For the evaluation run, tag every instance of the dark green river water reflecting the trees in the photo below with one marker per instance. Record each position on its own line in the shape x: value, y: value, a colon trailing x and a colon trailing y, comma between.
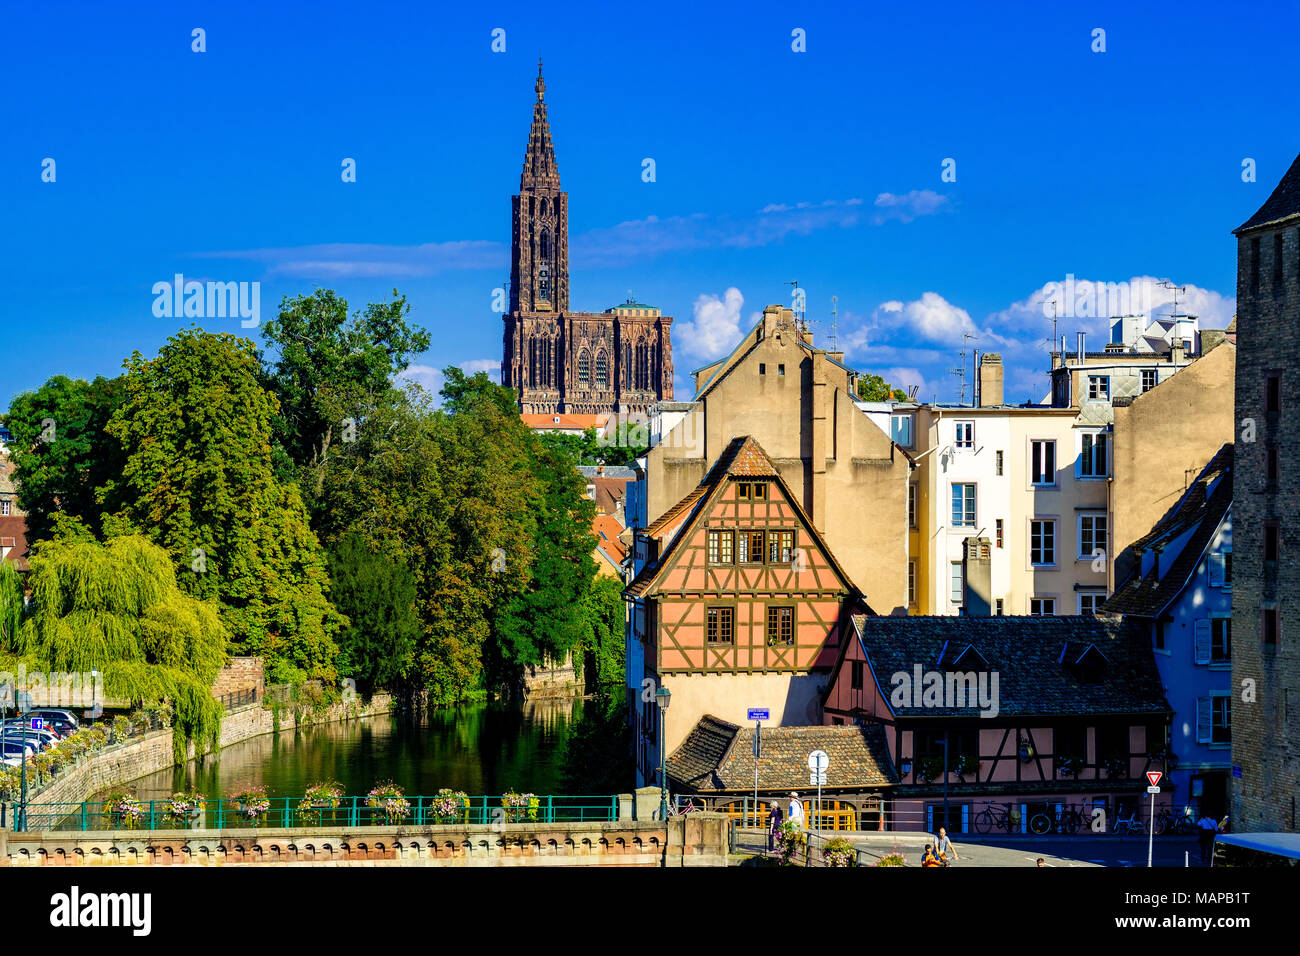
x: 482, y: 749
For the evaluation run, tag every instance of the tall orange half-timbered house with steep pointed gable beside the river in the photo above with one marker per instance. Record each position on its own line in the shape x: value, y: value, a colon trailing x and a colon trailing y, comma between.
x: 739, y: 604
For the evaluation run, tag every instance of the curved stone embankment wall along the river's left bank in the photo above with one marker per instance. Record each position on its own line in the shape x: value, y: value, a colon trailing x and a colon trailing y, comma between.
x: 153, y: 752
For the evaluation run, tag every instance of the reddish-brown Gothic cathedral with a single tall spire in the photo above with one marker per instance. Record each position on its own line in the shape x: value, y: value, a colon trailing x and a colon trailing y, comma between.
x: 557, y: 361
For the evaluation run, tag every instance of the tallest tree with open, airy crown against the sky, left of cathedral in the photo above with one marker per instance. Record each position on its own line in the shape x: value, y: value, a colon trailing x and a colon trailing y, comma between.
x: 328, y: 366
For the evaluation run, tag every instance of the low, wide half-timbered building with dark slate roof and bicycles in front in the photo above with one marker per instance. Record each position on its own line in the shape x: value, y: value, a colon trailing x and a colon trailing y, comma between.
x: 1042, y: 720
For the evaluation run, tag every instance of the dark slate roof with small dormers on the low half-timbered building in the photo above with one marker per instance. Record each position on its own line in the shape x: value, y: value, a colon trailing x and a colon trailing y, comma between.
x: 1029, y: 655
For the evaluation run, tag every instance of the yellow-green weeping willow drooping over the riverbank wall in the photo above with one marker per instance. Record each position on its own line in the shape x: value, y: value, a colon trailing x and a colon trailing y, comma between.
x: 116, y: 608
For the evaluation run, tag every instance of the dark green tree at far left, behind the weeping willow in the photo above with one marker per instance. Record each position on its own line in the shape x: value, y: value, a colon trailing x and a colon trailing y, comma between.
x: 62, y: 452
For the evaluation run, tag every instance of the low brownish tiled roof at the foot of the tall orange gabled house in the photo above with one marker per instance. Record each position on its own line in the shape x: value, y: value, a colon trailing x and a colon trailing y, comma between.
x: 720, y: 756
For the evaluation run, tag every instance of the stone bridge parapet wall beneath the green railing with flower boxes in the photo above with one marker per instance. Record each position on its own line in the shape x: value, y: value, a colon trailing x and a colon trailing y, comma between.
x: 697, y: 840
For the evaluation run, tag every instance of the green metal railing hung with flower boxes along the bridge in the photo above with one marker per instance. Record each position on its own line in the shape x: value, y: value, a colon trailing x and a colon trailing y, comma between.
x: 294, y: 812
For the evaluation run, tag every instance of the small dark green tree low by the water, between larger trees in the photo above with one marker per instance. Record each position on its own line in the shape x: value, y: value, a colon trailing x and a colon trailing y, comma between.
x: 378, y: 595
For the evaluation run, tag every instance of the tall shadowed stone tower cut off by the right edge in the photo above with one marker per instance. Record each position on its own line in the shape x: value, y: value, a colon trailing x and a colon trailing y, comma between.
x: 1267, y: 517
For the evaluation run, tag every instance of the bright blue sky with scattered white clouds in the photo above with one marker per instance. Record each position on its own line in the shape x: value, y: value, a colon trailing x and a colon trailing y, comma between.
x: 770, y: 166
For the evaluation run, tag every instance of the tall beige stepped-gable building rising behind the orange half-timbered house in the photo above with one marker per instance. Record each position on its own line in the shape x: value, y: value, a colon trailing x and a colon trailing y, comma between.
x: 799, y: 403
